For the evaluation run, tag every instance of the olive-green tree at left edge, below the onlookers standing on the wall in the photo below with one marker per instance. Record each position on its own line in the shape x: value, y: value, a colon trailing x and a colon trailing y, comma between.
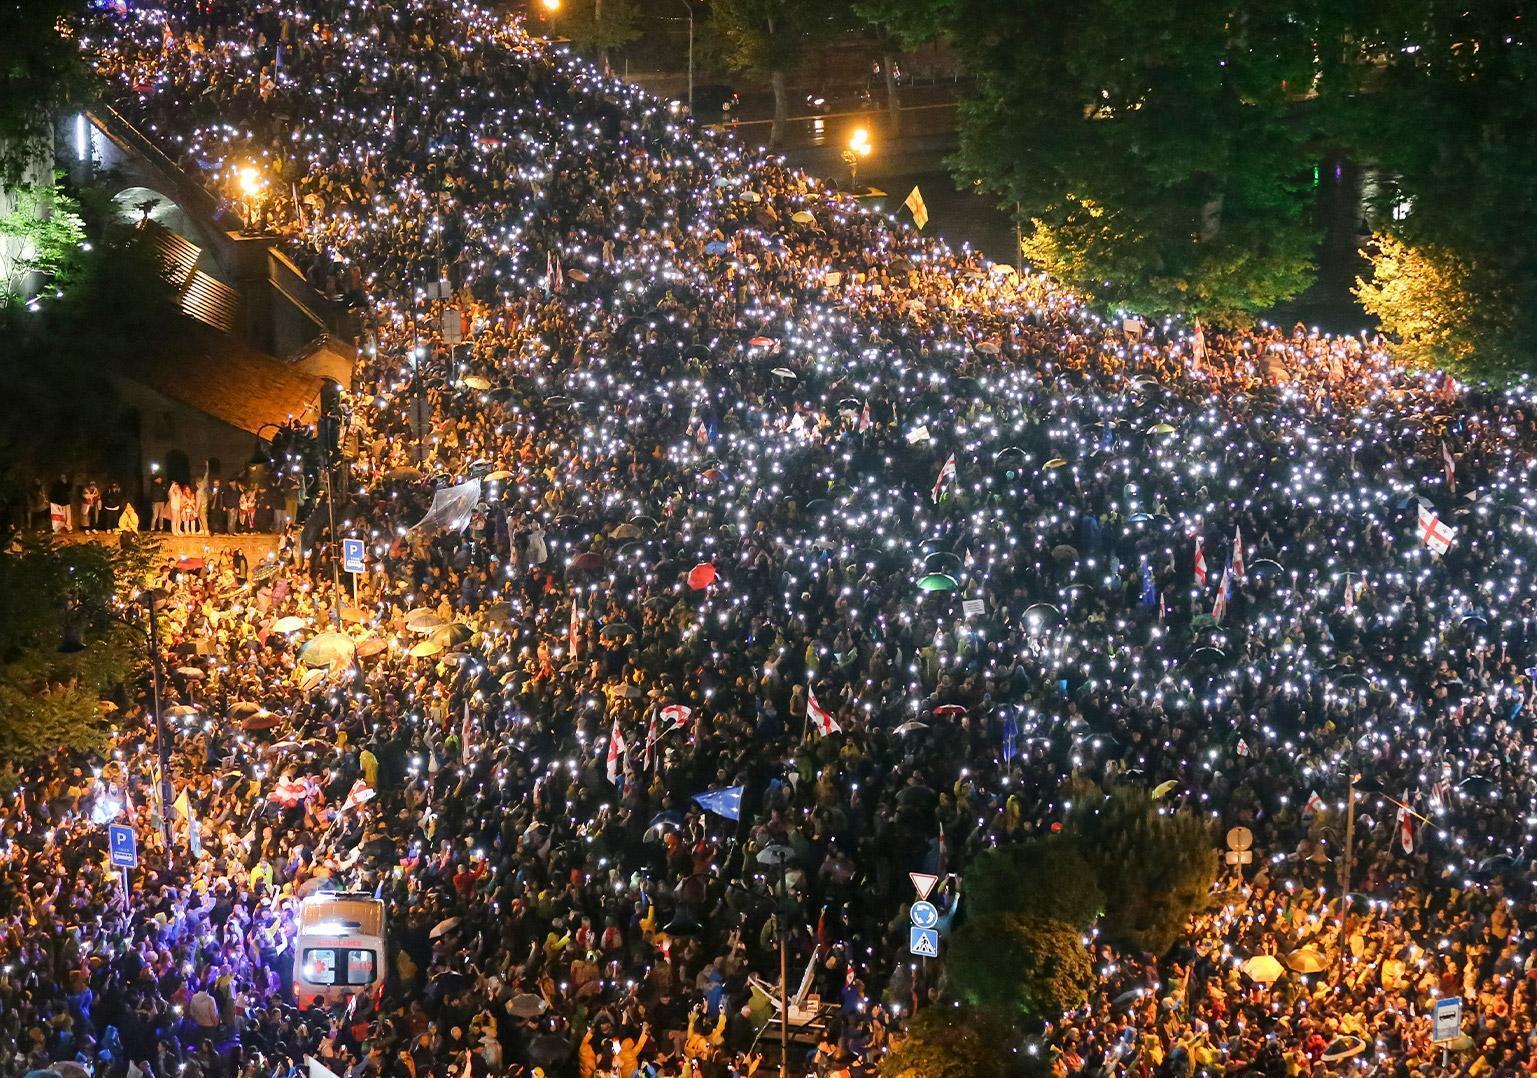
x: 53, y: 594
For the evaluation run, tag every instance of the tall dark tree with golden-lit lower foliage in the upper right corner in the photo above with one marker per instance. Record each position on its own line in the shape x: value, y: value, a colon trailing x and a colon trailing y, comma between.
x: 1449, y: 119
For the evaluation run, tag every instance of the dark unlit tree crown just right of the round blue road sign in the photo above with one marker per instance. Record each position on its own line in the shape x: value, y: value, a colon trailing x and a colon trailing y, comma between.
x: 1047, y: 877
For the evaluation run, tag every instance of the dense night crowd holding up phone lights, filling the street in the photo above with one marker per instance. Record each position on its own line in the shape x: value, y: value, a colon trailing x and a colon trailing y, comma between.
x: 726, y: 482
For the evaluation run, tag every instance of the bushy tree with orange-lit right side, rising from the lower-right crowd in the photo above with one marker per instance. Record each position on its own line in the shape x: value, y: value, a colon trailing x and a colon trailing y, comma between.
x: 1155, y: 867
